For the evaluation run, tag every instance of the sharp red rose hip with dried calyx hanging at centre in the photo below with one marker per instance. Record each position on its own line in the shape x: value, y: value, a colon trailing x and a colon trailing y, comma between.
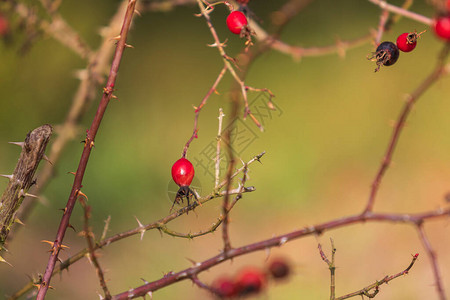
x: 183, y: 173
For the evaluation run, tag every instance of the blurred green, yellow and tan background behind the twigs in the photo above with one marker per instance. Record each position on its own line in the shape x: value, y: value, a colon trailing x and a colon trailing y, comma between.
x: 323, y: 148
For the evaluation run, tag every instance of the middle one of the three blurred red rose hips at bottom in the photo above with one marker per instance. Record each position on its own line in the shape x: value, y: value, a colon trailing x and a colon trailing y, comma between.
x: 250, y: 281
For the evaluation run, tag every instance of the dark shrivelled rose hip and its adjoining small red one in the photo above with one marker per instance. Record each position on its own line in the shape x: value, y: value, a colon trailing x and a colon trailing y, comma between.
x: 387, y: 53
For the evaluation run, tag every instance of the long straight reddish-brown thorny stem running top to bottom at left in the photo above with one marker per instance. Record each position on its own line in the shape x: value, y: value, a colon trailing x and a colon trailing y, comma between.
x: 88, y: 145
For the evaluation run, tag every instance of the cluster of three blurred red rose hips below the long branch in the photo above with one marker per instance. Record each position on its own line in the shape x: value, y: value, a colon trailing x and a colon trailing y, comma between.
x: 250, y: 280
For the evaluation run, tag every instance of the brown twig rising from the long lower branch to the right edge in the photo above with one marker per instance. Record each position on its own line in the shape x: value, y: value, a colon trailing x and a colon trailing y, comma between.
x: 438, y: 71
